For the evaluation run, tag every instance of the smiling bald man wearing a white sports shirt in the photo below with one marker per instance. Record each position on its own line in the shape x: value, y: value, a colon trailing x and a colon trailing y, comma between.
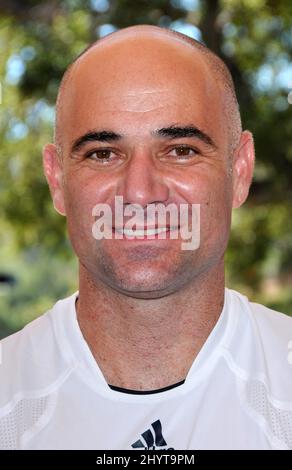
x: 152, y: 352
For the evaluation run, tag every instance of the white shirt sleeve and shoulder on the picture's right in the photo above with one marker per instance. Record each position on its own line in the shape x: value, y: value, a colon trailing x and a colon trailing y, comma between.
x: 257, y: 352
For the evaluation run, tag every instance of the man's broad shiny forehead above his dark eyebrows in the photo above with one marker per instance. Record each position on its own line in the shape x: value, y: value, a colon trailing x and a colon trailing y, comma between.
x: 142, y: 81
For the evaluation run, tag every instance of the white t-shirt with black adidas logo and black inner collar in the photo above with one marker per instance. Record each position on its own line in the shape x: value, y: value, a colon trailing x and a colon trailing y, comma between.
x: 237, y: 394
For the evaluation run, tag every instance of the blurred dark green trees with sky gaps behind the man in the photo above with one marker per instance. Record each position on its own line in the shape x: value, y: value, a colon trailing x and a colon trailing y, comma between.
x: 39, y: 39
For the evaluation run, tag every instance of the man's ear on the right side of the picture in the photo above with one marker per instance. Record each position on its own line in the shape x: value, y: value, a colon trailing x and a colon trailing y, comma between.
x: 243, y: 165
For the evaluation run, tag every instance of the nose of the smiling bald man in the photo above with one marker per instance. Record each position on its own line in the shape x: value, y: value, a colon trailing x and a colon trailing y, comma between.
x: 143, y: 183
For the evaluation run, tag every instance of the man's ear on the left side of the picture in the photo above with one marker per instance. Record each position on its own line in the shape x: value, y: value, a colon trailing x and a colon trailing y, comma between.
x: 53, y: 170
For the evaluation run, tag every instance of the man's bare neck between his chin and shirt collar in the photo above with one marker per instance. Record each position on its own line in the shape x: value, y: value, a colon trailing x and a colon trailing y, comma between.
x: 148, y: 344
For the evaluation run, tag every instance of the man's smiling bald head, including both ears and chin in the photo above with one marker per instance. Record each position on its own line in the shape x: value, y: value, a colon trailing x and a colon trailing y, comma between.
x: 133, y: 88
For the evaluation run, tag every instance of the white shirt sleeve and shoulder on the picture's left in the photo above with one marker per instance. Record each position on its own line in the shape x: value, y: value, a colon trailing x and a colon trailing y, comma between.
x: 32, y: 368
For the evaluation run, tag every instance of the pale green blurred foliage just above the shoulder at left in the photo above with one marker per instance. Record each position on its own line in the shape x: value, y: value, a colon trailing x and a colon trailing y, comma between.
x: 41, y: 279
